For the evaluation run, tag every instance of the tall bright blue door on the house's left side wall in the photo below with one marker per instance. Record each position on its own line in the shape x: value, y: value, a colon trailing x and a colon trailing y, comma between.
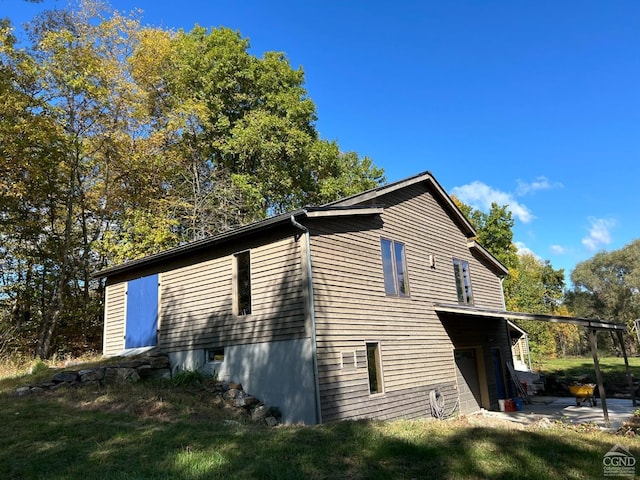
x: 142, y: 312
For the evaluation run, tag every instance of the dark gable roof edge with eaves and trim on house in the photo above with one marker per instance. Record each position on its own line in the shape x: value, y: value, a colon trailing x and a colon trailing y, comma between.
x: 360, y: 204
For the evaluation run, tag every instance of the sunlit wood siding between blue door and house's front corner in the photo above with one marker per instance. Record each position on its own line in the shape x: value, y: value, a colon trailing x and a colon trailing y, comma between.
x: 196, y: 309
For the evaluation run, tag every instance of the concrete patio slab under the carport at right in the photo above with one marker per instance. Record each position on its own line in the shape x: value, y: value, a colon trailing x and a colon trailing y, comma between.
x: 565, y: 409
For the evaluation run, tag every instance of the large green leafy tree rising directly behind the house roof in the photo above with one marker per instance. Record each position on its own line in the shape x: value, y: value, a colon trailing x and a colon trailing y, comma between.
x: 239, y: 131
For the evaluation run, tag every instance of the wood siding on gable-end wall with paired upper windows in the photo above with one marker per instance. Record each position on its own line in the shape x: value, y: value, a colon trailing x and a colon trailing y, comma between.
x: 352, y: 307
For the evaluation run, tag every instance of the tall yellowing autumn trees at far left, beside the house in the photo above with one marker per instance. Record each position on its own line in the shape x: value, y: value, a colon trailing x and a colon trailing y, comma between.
x: 76, y: 97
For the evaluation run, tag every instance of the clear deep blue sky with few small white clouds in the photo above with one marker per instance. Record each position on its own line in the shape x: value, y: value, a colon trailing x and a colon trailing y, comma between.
x: 531, y: 104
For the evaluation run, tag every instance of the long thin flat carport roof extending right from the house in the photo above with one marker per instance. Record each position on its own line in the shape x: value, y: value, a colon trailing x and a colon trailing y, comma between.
x: 590, y: 323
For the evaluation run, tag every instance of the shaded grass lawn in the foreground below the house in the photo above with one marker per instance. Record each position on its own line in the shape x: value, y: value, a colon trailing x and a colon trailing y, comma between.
x: 168, y: 431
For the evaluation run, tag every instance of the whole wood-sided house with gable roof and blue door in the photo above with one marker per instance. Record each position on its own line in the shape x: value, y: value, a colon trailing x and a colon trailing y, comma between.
x: 351, y: 309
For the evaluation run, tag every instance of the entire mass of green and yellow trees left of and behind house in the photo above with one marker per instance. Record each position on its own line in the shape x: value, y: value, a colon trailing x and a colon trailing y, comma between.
x: 117, y: 141
